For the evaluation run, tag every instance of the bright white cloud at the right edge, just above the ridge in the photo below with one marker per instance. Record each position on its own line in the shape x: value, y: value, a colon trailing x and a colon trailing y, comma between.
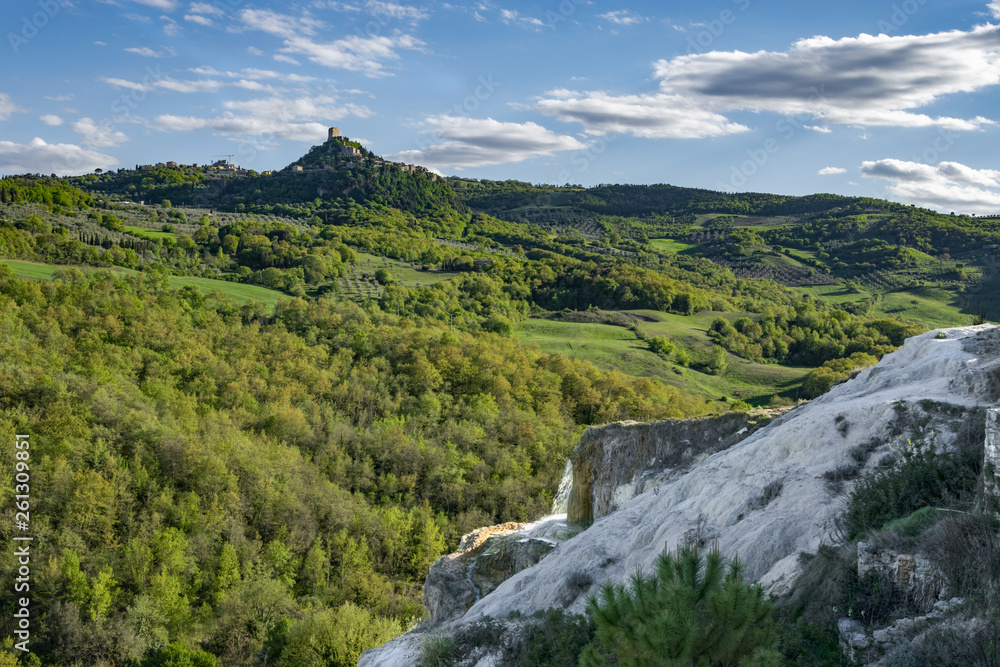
x: 949, y: 186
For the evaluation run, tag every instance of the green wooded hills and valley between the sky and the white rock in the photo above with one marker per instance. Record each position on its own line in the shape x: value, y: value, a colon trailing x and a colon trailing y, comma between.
x: 217, y: 481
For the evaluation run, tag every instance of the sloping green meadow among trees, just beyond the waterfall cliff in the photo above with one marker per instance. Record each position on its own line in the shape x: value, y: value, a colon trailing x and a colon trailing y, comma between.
x: 614, y: 347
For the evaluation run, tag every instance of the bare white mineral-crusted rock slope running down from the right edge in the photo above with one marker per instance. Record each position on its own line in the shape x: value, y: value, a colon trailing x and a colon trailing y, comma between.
x: 766, y: 498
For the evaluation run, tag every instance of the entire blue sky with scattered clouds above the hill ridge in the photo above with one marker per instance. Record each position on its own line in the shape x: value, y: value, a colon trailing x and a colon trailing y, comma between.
x: 895, y: 99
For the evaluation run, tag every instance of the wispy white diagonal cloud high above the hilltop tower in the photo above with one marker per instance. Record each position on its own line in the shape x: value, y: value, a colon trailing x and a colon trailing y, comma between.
x: 366, y: 55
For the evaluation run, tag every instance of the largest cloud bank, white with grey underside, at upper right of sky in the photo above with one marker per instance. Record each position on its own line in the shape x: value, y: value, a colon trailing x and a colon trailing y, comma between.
x: 862, y: 81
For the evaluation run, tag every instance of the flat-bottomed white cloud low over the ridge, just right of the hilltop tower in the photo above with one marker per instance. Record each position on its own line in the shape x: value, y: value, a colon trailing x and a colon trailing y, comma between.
x: 471, y: 142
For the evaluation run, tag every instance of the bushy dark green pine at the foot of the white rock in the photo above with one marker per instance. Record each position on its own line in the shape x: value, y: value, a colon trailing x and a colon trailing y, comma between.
x: 691, y: 611
